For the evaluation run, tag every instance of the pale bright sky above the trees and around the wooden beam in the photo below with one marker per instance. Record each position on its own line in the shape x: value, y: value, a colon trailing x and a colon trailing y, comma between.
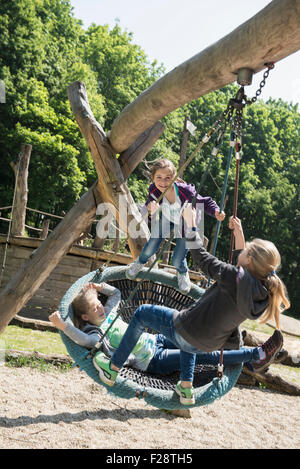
x: 172, y: 31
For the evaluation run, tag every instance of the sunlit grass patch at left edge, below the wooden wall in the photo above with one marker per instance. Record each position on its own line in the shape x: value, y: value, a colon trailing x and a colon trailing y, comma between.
x: 19, y: 338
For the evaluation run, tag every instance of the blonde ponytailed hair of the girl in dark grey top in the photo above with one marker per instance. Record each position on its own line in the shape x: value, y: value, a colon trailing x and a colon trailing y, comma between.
x: 265, y: 261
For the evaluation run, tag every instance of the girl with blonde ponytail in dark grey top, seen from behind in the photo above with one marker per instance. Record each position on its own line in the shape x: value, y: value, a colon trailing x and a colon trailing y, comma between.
x: 252, y: 289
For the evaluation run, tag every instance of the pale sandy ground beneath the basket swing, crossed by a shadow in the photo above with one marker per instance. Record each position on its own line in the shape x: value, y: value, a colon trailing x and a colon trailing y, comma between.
x: 68, y: 410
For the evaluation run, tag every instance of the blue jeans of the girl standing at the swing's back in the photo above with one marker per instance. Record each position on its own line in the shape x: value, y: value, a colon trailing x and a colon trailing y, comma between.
x: 160, y: 231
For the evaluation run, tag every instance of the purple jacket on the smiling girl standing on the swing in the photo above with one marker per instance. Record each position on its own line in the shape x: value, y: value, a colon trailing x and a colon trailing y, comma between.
x: 186, y: 192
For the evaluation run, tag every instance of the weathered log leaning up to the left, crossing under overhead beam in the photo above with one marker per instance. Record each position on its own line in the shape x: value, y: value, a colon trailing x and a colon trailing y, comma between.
x: 111, y: 182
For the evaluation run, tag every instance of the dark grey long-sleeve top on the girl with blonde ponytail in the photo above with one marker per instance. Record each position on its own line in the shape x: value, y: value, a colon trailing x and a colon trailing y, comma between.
x: 213, y: 321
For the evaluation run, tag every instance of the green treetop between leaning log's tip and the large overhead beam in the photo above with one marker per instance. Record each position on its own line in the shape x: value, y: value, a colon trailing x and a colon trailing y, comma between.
x: 122, y: 67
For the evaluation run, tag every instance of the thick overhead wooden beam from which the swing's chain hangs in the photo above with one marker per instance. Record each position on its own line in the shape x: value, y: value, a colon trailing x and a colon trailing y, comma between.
x: 269, y: 36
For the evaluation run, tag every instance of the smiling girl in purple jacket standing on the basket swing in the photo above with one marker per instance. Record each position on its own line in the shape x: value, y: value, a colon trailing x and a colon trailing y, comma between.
x: 169, y: 218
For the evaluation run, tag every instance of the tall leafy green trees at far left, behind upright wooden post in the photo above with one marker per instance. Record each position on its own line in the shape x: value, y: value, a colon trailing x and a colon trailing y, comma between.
x: 41, y: 48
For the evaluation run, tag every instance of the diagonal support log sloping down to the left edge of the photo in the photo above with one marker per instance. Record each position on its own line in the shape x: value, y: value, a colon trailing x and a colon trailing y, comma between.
x: 34, y: 272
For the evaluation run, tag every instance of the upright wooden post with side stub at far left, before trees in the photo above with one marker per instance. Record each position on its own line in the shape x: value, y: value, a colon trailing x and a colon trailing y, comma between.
x: 20, y: 169
